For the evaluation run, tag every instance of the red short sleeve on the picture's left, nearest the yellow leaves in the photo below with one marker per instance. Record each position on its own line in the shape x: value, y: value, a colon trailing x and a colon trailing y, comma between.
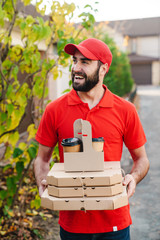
x: 46, y: 134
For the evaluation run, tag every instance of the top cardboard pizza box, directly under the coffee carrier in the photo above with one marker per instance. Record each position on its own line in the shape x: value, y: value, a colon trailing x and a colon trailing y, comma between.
x: 64, y: 179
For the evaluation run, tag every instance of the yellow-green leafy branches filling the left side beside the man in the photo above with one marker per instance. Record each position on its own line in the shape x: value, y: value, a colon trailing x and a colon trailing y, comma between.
x: 24, y: 72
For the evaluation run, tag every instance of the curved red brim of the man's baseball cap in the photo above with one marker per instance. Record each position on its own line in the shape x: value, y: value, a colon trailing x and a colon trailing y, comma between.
x: 71, y: 49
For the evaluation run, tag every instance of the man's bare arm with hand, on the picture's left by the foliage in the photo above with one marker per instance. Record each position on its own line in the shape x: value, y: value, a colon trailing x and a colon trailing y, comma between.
x: 41, y: 166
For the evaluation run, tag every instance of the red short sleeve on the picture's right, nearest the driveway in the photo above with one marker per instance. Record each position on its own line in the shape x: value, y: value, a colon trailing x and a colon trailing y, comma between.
x: 134, y: 136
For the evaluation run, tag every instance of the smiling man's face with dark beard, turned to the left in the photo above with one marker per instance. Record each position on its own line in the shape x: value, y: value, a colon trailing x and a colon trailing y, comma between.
x: 85, y: 73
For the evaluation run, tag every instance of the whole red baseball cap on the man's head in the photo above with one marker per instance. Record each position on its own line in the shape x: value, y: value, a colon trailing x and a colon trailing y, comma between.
x: 93, y: 49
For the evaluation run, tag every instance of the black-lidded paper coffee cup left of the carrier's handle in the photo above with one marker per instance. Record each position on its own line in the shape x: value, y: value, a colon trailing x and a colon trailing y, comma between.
x: 71, y: 144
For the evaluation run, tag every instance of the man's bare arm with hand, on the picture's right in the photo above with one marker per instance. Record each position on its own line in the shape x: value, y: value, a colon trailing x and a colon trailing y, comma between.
x: 139, y: 169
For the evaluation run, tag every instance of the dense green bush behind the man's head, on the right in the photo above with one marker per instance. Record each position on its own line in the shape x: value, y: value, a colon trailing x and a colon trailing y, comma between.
x: 118, y: 79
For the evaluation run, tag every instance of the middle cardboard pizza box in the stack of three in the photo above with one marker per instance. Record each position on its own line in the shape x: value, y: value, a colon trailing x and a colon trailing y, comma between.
x: 85, y: 191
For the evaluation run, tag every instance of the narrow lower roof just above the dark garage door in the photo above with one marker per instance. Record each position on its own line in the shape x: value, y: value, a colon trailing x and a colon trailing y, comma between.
x: 135, y: 58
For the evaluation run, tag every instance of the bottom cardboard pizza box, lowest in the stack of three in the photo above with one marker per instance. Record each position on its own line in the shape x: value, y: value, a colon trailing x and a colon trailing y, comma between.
x: 92, y: 203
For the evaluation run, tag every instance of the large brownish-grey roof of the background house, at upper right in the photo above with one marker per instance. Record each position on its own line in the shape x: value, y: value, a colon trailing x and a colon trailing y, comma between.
x: 137, y: 27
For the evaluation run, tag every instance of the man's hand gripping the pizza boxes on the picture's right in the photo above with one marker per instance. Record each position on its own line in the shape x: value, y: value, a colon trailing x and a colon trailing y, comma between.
x: 130, y: 183
